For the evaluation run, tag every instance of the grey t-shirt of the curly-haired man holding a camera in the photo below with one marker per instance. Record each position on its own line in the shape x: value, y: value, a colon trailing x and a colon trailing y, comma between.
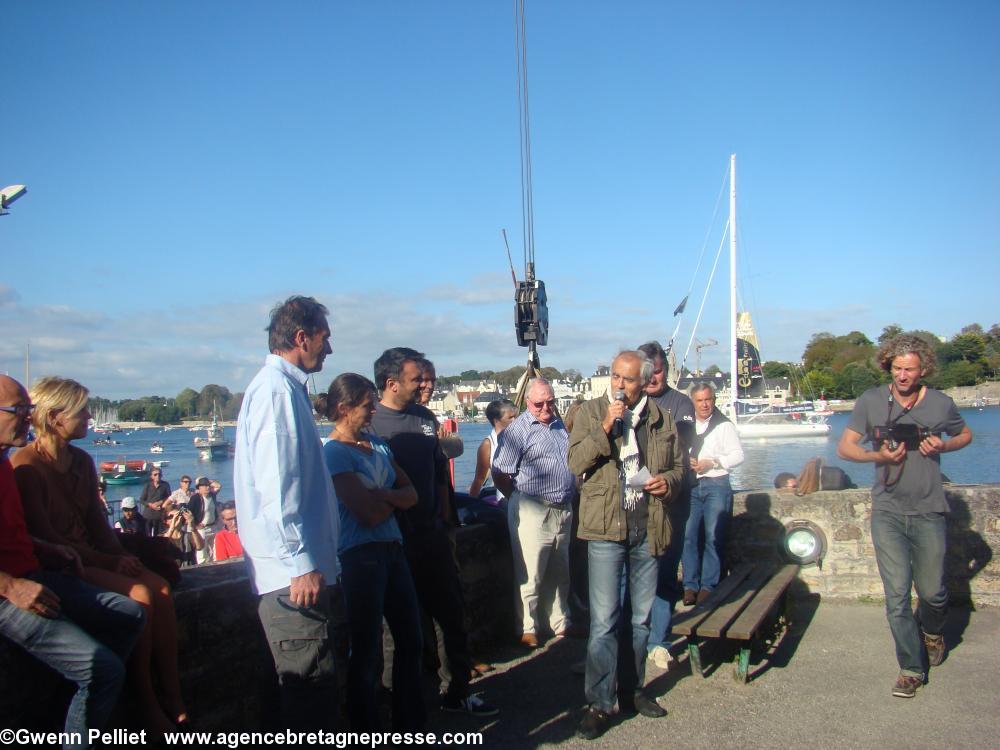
x: 919, y: 487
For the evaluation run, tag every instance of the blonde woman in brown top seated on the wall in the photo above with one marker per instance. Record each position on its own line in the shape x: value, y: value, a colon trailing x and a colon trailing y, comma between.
x: 58, y: 485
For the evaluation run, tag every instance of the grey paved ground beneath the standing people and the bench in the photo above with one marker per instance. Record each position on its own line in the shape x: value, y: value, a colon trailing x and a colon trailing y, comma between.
x: 826, y: 684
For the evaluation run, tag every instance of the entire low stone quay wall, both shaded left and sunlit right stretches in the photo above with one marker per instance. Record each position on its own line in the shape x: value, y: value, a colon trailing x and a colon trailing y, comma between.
x: 221, y: 646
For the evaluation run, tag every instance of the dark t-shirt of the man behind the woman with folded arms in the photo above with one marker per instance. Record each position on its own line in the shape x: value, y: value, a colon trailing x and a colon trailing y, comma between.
x: 412, y: 436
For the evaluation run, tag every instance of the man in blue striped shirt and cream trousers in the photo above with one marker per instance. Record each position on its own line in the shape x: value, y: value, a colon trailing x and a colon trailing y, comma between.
x: 530, y: 468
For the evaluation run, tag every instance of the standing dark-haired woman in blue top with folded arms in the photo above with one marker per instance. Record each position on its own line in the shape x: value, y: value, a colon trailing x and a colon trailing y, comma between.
x: 376, y: 578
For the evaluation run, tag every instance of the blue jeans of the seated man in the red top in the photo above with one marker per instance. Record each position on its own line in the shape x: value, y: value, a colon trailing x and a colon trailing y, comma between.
x: 87, y: 644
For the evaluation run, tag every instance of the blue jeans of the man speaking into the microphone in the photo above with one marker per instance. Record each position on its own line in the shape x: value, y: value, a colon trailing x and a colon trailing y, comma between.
x: 608, y: 564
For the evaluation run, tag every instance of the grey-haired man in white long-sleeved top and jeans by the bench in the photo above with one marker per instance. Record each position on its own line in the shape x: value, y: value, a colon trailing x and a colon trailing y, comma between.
x: 715, y: 449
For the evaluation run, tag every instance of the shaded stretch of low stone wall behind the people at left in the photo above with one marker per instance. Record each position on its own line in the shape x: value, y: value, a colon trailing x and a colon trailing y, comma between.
x: 221, y: 646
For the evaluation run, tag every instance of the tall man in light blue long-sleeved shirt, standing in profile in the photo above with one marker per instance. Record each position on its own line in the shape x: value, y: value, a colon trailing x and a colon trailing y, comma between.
x: 288, y: 513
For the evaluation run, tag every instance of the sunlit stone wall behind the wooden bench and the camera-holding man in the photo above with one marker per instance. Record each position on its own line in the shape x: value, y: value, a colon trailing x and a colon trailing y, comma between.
x: 849, y: 570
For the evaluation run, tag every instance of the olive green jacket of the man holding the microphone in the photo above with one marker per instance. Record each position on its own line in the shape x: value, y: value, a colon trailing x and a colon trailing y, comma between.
x: 594, y: 455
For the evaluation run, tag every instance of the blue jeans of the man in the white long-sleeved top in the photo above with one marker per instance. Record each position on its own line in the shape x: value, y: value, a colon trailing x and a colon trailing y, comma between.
x: 711, y: 506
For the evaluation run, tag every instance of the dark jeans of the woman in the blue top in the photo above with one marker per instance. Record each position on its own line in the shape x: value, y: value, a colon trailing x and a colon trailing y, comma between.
x: 377, y: 583
